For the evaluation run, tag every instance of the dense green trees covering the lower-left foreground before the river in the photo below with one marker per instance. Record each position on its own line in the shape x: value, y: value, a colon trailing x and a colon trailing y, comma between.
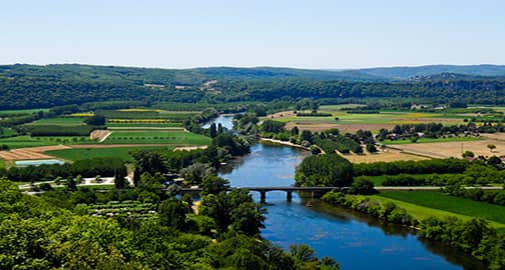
x: 54, y: 230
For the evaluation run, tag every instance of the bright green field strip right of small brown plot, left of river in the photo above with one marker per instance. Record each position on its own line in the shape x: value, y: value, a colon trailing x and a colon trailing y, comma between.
x: 157, y: 137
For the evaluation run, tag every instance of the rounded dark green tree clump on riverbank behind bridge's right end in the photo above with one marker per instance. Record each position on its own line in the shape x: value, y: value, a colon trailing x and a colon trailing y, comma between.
x: 324, y: 170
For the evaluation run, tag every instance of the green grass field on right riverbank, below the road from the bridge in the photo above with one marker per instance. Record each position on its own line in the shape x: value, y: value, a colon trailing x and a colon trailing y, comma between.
x: 437, y: 201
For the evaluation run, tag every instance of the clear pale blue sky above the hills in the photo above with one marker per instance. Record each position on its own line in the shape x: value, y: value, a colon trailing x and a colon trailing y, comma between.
x: 288, y: 33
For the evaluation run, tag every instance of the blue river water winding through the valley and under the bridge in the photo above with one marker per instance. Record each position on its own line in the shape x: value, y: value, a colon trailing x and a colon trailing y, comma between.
x: 354, y: 240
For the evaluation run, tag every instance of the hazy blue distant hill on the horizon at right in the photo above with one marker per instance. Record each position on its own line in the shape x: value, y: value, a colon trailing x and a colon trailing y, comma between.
x: 403, y: 73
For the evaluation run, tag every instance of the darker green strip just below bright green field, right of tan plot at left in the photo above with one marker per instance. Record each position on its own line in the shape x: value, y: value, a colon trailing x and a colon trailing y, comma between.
x: 85, y: 153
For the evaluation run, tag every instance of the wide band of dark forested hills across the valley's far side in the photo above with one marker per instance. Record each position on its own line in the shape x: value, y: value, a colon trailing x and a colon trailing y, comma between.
x: 27, y: 86
